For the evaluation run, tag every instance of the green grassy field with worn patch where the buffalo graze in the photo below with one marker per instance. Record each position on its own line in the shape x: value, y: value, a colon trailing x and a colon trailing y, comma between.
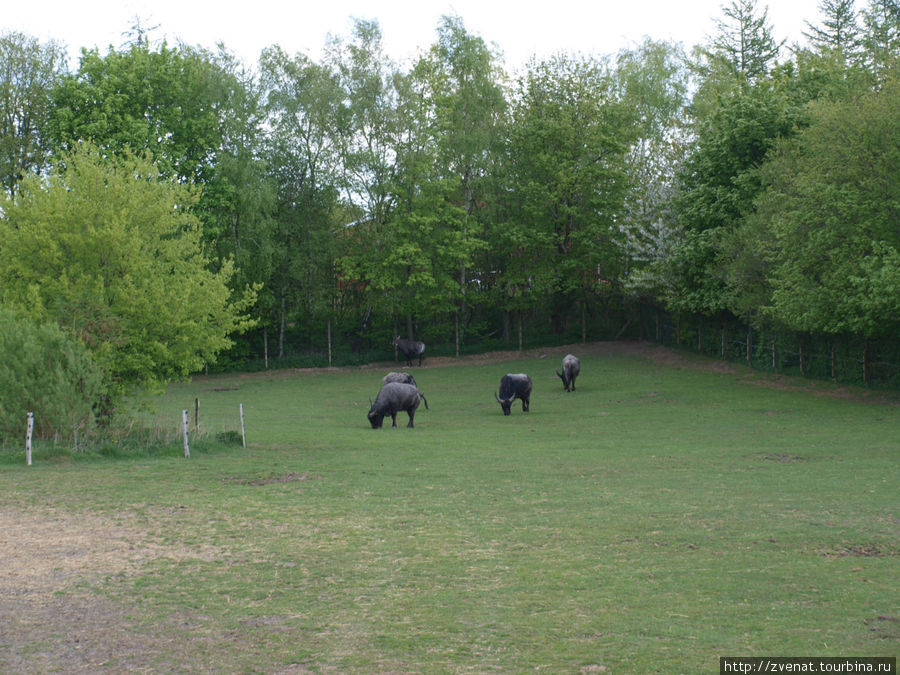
x: 663, y: 515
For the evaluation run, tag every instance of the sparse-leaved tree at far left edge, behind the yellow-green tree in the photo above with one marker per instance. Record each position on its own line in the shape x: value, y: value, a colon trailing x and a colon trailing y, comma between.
x: 29, y: 72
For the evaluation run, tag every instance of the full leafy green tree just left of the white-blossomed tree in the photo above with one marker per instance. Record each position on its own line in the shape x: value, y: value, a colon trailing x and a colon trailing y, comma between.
x: 568, y: 180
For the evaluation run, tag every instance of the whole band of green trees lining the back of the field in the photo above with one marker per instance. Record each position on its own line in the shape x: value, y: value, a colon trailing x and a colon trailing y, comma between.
x: 170, y: 206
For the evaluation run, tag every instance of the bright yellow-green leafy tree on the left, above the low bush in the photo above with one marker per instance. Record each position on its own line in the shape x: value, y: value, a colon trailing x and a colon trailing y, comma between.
x: 107, y: 248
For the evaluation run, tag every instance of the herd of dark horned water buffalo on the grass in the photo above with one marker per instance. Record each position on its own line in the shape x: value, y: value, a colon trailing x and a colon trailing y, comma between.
x: 399, y: 391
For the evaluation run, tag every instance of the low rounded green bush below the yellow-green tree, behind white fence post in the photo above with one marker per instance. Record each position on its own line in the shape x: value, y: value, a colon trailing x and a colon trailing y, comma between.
x: 45, y: 371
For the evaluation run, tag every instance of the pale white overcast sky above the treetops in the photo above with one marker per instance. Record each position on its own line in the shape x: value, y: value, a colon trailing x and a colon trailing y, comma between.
x: 520, y: 28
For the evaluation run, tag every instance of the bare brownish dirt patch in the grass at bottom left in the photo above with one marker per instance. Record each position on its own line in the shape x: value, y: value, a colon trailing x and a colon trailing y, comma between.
x: 51, y: 620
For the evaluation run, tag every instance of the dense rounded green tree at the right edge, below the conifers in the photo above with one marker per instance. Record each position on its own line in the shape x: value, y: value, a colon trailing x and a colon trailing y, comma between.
x: 832, y: 214
